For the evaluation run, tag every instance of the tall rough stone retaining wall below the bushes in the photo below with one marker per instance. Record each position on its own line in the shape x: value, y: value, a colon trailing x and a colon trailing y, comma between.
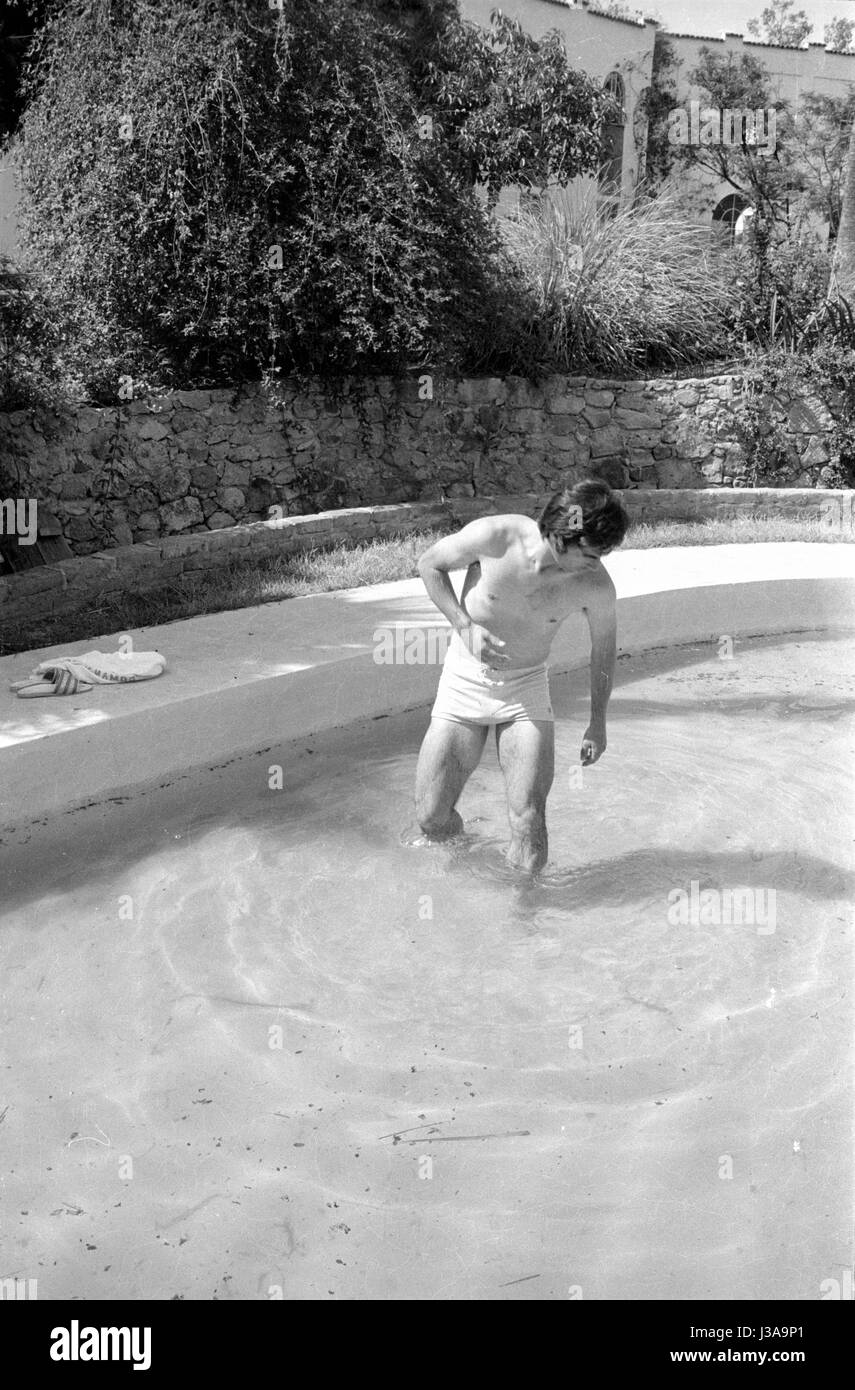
x: 201, y: 461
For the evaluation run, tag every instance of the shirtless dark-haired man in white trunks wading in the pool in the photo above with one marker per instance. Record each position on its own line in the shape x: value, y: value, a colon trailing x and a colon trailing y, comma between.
x: 523, y: 580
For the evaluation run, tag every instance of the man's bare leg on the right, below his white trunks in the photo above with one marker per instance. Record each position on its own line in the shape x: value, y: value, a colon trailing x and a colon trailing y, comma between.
x: 528, y: 757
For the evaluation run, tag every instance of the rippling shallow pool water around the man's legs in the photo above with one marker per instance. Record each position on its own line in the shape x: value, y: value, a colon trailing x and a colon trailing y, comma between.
x: 258, y: 1045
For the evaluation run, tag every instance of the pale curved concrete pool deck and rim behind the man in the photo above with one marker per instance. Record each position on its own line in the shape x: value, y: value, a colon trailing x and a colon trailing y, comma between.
x: 262, y: 678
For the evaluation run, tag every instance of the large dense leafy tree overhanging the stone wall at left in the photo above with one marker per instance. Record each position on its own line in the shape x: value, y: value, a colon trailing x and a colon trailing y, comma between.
x: 209, y: 191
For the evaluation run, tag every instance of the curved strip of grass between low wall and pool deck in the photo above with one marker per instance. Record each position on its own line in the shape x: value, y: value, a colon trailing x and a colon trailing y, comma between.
x: 243, y: 583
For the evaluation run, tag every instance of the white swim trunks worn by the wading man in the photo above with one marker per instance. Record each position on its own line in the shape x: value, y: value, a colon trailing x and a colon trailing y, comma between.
x: 472, y: 694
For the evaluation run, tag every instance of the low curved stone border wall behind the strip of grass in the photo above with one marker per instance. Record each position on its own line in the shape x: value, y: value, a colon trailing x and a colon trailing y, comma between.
x: 88, y: 582
